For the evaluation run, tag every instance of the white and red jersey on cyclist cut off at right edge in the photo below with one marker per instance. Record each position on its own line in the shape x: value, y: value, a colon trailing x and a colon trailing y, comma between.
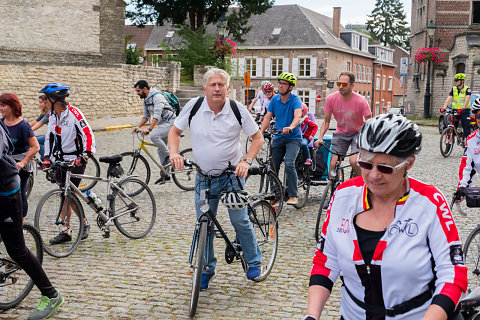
x: 470, y: 163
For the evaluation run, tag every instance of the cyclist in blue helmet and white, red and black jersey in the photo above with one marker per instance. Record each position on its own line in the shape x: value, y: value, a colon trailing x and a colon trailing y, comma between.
x: 73, y: 138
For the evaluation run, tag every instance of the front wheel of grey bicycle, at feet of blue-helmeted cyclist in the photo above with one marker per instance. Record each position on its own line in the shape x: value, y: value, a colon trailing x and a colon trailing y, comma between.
x: 49, y: 222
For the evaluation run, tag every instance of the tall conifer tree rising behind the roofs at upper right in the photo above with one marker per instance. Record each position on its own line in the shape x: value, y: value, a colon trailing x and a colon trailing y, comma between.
x: 387, y: 23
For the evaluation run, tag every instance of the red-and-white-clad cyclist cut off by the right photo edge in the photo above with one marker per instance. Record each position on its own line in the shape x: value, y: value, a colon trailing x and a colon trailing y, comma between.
x: 470, y: 163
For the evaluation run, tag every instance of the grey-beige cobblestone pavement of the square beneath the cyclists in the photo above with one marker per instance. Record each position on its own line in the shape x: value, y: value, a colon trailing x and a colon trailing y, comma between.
x: 150, y: 278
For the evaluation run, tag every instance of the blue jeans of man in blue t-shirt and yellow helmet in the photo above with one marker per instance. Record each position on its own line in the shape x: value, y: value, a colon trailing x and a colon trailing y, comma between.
x: 288, y: 149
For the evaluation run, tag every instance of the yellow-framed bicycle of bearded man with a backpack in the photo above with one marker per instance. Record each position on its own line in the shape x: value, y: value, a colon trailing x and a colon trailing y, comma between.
x: 138, y: 166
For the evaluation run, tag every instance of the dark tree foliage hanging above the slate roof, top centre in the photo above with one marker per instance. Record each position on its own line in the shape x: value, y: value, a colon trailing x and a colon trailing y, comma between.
x: 197, y: 13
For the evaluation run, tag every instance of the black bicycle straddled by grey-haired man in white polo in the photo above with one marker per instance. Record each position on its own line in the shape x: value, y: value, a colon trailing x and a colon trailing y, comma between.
x: 262, y: 216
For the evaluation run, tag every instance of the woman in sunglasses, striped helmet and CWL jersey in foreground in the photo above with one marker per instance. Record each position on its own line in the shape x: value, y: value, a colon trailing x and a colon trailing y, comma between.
x: 392, y: 238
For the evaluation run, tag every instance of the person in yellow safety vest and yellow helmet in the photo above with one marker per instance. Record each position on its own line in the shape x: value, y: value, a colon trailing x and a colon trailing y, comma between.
x: 459, y: 97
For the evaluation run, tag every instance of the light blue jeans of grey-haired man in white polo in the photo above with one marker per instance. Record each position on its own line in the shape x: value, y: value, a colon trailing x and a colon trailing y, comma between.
x: 239, y: 219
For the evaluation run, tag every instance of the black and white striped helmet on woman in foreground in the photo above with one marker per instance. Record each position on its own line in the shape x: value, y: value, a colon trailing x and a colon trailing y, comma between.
x: 390, y: 134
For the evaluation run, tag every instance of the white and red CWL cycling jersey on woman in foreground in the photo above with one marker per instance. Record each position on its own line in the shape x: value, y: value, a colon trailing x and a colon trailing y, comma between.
x: 420, y: 244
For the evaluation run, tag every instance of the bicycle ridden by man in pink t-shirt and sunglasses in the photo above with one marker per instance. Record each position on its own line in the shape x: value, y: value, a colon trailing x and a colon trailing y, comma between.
x: 335, y: 177
